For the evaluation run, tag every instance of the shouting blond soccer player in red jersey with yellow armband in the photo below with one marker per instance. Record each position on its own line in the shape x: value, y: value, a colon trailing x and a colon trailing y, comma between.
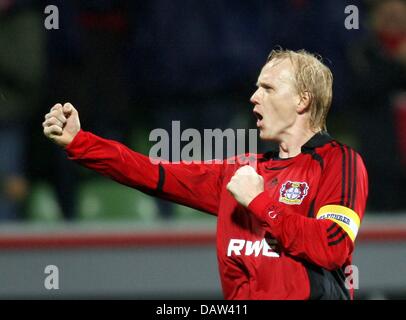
x: 286, y: 229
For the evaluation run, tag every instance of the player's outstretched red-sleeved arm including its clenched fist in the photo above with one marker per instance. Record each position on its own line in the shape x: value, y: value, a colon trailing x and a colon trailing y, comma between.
x: 195, y: 185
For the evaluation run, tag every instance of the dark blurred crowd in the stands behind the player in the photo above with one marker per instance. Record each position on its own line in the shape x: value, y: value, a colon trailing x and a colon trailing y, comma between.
x: 132, y: 66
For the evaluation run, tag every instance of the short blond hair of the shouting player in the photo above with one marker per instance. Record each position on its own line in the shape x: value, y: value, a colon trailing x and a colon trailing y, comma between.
x: 312, y: 76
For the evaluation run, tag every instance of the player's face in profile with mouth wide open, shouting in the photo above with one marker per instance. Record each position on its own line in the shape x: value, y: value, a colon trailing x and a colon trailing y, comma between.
x: 276, y: 100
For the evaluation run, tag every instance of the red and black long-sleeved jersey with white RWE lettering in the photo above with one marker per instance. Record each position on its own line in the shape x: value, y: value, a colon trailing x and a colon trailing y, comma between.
x: 296, y: 238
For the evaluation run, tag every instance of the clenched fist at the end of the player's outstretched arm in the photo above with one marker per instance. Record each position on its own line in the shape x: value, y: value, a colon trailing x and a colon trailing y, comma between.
x: 61, y: 124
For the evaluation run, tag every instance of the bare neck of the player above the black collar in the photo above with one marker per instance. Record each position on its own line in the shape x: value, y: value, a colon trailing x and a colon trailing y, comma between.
x: 292, y: 143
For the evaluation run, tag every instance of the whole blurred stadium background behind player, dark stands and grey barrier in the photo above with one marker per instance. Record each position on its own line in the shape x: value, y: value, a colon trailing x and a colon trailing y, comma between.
x: 132, y: 66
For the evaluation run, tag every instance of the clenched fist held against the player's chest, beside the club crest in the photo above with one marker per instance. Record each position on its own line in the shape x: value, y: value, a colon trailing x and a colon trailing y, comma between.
x: 245, y: 185
